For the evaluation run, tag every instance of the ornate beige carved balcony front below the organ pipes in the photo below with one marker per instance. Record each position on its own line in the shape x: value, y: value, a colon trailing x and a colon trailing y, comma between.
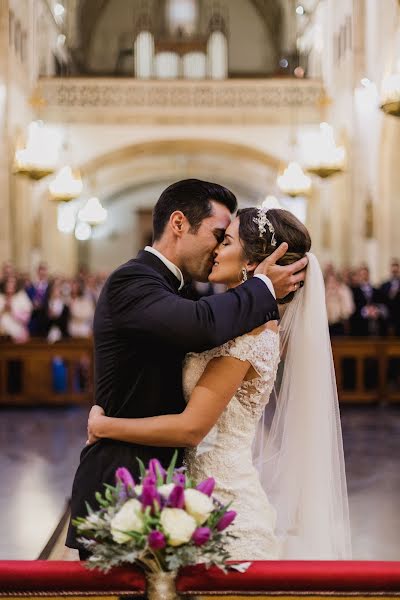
x: 139, y: 101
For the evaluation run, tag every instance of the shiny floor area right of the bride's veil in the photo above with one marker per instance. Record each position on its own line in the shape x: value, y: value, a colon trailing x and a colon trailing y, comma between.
x: 371, y: 437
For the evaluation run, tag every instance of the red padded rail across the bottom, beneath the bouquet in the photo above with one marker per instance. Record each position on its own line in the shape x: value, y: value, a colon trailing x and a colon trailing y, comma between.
x: 360, y: 578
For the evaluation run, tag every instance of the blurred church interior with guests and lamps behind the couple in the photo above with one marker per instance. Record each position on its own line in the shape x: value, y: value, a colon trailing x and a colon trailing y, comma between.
x: 103, y: 104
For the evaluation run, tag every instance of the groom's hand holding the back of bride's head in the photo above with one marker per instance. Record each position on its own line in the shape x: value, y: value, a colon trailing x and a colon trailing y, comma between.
x: 284, y: 279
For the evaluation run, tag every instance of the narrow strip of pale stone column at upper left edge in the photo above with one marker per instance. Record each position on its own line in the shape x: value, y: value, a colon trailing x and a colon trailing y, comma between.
x: 6, y: 250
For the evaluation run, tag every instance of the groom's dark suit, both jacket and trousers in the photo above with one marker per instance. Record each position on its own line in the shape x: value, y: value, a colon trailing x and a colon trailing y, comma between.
x: 142, y: 330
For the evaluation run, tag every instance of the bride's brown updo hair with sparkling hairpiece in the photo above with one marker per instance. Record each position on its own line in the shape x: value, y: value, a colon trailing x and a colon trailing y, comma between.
x: 287, y: 228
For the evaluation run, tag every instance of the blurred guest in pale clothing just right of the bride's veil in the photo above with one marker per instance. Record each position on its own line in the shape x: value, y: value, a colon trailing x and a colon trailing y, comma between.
x: 339, y: 303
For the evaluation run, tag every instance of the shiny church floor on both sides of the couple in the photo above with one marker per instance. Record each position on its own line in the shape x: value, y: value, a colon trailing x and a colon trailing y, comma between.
x: 39, y: 451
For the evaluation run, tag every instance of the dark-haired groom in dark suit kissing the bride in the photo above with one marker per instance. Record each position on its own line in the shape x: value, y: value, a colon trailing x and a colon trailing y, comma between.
x: 143, y: 327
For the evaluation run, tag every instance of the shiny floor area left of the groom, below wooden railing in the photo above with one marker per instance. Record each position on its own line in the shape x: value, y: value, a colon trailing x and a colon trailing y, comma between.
x: 39, y: 452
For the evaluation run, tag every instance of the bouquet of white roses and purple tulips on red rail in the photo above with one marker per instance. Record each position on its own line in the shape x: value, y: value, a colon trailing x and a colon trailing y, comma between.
x: 161, y: 523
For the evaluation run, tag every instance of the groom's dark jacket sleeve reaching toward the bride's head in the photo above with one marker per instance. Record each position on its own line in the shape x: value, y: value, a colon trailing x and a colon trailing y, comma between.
x: 144, y: 305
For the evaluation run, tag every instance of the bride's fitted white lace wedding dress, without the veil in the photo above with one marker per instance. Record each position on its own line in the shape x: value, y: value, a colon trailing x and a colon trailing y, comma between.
x: 226, y: 453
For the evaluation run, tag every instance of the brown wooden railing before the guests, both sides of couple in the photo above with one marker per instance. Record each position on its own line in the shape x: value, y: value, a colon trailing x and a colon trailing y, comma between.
x: 367, y: 370
